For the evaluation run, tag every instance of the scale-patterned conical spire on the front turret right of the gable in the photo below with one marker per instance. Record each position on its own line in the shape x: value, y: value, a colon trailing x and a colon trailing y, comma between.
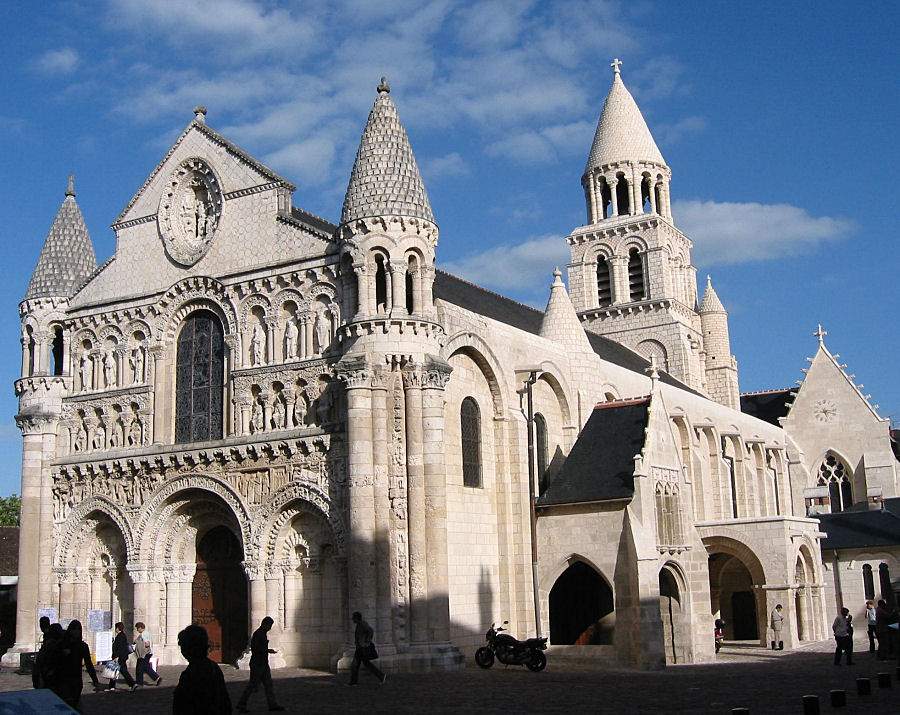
x: 385, y: 180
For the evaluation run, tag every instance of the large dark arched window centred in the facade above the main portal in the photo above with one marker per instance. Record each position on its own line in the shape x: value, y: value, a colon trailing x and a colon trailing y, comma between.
x: 199, y: 379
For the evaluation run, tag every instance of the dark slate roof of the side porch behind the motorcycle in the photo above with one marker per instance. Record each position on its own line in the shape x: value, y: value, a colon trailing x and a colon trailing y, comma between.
x: 600, y: 466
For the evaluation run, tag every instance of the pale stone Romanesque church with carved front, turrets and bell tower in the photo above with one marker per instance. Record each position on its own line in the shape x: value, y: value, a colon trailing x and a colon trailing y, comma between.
x: 248, y: 410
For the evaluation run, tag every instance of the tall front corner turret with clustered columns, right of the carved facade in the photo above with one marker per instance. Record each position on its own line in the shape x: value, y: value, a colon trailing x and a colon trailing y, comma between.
x: 395, y: 383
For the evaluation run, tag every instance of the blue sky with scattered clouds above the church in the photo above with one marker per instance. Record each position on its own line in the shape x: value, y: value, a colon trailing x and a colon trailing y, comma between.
x: 778, y: 120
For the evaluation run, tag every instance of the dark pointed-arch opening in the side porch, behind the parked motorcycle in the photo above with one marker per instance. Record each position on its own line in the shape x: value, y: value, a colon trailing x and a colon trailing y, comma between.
x: 581, y: 608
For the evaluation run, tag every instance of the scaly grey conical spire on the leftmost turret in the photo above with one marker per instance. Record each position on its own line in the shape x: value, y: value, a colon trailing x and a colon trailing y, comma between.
x: 67, y: 257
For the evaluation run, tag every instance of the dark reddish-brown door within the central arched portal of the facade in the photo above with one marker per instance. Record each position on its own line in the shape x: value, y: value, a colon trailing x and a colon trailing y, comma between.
x: 219, y: 594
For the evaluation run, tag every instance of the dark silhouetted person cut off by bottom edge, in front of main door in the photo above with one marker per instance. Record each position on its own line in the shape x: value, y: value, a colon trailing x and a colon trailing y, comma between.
x: 201, y: 687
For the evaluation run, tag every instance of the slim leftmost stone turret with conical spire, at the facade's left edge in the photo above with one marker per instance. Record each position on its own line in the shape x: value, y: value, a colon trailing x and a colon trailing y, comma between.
x: 66, y: 260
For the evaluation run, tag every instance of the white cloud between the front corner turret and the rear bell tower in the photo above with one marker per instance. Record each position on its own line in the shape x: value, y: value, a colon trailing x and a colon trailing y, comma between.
x: 524, y: 269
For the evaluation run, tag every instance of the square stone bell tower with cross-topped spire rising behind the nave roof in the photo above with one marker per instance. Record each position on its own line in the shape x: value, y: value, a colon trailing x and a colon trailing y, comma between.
x: 631, y: 276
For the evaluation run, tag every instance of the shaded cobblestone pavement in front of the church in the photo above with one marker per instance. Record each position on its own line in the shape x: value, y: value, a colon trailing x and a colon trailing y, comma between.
x: 761, y: 680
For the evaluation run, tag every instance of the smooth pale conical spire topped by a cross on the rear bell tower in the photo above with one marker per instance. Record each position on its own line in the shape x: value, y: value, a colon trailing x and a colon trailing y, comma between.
x: 622, y: 134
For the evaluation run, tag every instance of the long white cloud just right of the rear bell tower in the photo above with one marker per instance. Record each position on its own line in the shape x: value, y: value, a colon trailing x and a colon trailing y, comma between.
x: 728, y: 232
